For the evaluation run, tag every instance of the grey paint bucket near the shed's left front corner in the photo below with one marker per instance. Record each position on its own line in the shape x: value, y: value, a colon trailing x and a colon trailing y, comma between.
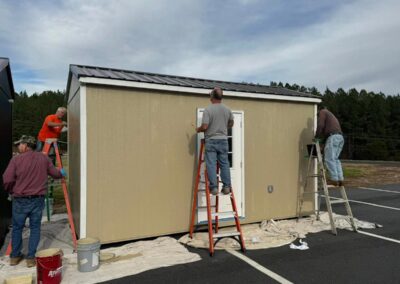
x: 88, y: 254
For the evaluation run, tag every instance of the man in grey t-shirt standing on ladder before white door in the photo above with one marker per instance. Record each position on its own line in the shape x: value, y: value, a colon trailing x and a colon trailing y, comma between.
x: 217, y: 118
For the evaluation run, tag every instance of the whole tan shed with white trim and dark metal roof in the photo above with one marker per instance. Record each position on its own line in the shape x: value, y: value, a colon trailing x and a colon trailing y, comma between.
x: 133, y: 150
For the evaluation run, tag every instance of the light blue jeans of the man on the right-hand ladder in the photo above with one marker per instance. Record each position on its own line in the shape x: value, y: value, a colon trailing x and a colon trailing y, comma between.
x: 333, y: 147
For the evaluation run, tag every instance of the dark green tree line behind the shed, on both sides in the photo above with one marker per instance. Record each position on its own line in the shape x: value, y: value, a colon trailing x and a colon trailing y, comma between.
x: 370, y: 121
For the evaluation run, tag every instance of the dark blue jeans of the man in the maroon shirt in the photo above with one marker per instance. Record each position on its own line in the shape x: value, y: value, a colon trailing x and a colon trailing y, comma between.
x: 23, y: 208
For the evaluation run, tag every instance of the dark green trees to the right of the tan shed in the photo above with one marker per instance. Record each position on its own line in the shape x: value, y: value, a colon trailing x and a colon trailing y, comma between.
x: 370, y: 121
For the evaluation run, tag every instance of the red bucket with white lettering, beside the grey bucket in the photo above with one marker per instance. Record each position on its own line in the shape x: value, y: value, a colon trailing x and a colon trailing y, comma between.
x: 49, y: 266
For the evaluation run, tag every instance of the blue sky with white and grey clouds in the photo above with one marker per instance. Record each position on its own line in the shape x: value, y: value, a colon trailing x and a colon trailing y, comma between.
x: 321, y: 43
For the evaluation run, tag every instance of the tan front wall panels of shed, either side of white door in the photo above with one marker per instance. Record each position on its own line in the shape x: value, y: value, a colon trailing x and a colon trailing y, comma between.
x: 141, y: 159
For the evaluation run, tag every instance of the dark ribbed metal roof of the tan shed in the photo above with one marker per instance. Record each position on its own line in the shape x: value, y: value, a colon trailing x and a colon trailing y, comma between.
x: 144, y: 77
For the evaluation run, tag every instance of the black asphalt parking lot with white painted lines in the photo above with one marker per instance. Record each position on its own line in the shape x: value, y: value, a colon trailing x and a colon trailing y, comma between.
x: 370, y: 256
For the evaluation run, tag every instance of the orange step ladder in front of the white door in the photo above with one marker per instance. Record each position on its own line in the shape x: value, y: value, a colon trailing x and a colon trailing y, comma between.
x: 213, y: 234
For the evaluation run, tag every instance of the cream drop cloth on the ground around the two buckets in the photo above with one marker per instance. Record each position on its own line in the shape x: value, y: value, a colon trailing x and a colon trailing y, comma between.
x: 129, y: 259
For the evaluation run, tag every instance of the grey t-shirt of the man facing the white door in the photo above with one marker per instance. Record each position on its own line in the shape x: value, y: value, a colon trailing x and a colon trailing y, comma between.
x: 217, y: 117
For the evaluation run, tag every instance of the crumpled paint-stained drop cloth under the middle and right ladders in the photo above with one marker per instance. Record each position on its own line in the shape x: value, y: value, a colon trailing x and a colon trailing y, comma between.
x: 271, y: 233
